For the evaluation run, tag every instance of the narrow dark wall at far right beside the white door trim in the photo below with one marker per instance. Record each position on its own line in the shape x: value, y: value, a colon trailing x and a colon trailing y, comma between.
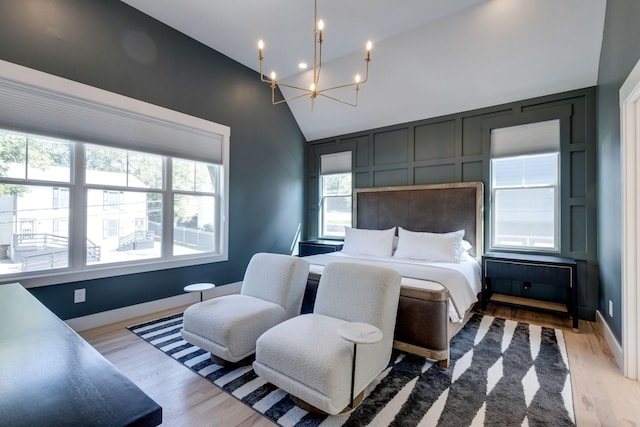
x: 620, y: 53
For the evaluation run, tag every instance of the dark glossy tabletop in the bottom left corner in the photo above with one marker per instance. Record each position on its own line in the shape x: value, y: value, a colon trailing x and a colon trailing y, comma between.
x: 50, y: 376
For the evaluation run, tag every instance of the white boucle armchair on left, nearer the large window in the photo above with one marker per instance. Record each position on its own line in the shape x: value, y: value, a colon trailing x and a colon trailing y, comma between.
x: 228, y: 326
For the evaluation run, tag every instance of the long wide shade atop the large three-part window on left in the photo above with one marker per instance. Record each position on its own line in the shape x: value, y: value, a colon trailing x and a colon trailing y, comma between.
x: 36, y: 102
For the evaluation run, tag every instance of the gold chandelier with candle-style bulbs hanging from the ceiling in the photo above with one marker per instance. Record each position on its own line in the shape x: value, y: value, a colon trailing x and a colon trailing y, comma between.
x: 314, y: 90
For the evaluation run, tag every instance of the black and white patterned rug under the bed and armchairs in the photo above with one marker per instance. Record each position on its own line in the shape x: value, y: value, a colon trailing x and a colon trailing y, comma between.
x: 502, y: 373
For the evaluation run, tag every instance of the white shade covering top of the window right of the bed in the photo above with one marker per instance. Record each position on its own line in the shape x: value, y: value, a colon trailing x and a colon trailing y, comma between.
x: 532, y: 138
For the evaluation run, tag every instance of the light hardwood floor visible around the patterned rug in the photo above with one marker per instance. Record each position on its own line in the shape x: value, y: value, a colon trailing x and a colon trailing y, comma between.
x: 602, y: 396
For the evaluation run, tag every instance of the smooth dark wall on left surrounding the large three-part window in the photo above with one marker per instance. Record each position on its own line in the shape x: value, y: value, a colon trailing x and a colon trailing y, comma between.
x: 109, y: 45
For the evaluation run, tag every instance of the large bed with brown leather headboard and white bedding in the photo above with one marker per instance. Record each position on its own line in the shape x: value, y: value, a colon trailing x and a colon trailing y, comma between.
x: 434, y: 303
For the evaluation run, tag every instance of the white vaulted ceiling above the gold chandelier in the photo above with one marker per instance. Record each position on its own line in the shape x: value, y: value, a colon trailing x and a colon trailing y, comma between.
x: 429, y: 57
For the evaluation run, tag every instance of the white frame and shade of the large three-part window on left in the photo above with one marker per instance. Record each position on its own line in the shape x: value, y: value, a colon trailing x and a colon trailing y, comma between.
x: 161, y: 126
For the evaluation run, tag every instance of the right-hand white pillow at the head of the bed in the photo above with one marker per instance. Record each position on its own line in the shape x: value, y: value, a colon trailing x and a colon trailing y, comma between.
x: 436, y: 247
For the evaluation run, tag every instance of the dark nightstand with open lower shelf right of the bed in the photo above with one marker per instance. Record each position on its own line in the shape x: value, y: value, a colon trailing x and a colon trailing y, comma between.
x: 531, y: 269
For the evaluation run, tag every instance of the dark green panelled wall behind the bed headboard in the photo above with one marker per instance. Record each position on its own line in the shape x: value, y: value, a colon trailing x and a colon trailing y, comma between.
x: 455, y: 148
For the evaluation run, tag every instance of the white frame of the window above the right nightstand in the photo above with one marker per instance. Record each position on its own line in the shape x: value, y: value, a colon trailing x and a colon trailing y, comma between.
x: 528, y: 151
